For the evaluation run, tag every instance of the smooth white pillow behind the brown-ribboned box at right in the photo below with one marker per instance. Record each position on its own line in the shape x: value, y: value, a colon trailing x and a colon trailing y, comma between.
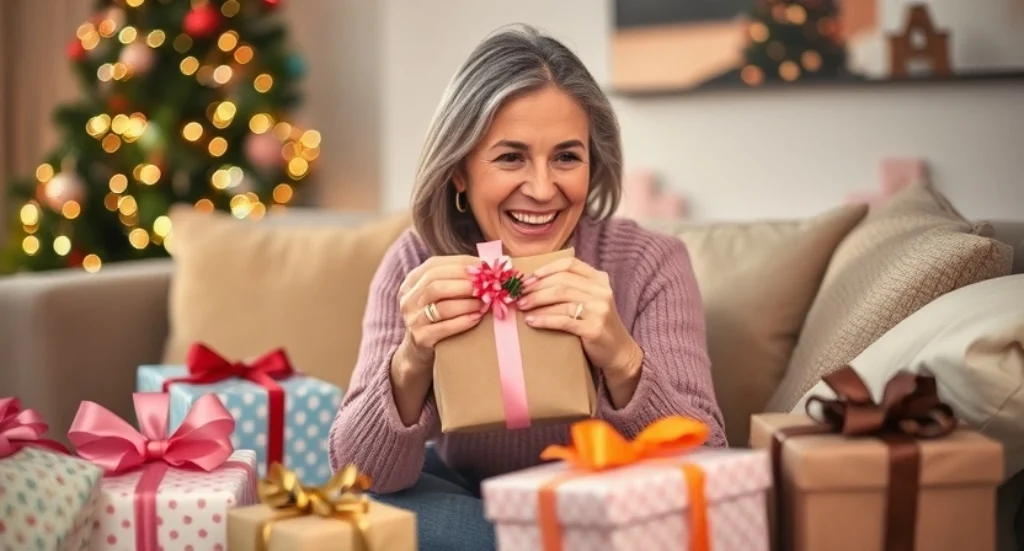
x: 972, y: 340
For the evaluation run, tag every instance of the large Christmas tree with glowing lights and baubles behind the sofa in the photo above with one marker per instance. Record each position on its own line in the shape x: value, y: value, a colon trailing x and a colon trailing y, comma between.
x: 184, y: 102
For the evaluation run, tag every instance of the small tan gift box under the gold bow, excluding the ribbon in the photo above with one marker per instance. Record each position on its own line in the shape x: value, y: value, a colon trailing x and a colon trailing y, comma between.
x: 390, y: 529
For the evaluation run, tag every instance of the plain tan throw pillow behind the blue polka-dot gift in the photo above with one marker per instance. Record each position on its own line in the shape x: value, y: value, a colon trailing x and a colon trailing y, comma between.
x: 245, y: 288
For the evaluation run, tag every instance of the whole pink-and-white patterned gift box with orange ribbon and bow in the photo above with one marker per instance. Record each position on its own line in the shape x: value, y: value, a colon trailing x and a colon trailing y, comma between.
x: 658, y: 492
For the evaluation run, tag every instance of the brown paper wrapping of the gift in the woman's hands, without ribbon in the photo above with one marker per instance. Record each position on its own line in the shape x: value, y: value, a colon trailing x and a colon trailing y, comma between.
x: 560, y: 386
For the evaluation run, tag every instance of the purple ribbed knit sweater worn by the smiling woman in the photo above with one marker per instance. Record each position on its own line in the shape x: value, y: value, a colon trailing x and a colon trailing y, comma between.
x: 658, y: 300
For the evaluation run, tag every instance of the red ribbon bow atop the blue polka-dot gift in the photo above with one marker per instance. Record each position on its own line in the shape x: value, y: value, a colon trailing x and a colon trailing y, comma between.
x: 206, y: 367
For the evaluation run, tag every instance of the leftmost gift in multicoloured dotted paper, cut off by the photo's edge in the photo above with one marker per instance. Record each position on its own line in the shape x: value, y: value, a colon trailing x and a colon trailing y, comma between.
x: 49, y: 499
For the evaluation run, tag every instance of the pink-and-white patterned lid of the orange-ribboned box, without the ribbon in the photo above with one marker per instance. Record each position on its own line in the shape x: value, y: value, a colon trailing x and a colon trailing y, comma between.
x: 615, y: 497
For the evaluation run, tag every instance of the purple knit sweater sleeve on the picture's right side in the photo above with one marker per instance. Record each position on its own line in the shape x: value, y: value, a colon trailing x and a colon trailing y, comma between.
x: 675, y: 376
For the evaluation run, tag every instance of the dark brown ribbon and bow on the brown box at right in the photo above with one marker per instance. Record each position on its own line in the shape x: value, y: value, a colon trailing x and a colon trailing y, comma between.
x: 910, y: 410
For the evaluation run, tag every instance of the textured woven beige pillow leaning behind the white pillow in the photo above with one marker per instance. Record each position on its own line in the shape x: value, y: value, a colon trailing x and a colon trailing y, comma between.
x: 903, y: 257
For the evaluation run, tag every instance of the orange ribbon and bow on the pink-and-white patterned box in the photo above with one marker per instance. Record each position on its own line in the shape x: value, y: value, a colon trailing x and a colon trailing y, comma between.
x: 598, y: 447
